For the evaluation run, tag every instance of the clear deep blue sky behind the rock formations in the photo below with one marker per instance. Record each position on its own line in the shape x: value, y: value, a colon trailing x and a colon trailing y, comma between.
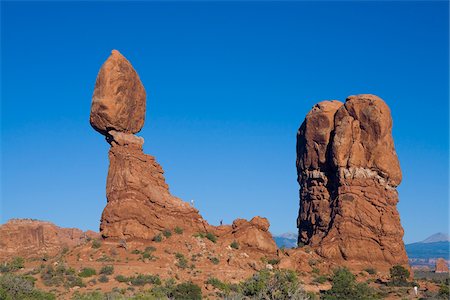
x: 228, y: 85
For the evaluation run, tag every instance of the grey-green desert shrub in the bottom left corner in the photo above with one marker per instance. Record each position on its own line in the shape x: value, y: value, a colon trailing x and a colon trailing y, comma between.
x: 21, y: 287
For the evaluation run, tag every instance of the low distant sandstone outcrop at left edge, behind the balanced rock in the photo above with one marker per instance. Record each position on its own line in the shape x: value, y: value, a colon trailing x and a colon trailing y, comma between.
x: 33, y: 238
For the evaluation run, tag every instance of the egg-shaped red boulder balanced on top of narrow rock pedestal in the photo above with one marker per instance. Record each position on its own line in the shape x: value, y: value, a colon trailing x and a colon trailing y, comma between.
x: 118, y: 102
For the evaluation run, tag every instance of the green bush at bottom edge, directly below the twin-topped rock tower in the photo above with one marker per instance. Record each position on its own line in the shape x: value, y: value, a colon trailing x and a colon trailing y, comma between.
x: 344, y: 286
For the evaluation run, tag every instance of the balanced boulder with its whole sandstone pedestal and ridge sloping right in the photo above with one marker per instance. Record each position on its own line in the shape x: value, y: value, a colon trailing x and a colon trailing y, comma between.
x: 140, y: 205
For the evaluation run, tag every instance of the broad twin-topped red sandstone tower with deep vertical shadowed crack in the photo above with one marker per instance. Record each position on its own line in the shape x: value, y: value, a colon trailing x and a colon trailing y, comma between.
x: 348, y: 172
